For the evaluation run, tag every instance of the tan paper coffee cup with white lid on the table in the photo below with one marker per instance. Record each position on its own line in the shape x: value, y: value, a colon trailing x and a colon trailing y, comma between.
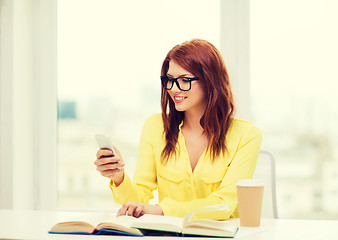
x: 250, y: 197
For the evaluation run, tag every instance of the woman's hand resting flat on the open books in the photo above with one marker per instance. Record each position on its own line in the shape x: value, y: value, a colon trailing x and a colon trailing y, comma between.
x: 137, y: 209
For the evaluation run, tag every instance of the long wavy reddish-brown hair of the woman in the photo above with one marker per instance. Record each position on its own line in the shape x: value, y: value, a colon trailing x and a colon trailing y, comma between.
x: 202, y: 59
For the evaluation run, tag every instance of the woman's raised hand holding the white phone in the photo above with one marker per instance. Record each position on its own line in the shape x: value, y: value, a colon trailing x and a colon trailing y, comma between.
x: 110, y: 167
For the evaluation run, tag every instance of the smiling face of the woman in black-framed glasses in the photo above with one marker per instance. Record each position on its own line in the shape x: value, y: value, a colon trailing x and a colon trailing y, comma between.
x: 194, y: 100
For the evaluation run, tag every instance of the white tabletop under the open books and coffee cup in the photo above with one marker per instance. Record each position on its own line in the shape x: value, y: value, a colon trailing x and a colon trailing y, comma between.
x: 35, y: 225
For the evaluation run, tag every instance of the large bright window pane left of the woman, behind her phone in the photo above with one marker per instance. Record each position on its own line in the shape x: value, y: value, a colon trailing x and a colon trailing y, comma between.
x: 109, y: 60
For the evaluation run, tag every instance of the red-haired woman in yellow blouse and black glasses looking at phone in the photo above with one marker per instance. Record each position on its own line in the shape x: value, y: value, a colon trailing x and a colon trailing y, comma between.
x: 194, y: 152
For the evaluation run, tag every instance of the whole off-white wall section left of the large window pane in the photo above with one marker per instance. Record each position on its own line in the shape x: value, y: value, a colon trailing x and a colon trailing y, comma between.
x: 26, y: 104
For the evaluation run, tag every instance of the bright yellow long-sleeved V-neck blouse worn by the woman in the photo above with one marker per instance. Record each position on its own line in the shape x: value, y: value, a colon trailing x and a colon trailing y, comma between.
x: 179, y: 189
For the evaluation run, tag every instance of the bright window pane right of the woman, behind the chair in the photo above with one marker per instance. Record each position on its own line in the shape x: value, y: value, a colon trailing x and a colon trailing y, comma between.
x: 294, y: 70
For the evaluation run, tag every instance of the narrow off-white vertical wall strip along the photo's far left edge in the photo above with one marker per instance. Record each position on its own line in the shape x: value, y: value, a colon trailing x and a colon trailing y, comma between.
x: 6, y: 105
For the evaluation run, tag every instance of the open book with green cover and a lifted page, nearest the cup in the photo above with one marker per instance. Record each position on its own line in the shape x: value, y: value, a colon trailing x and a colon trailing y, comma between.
x: 157, y: 224
